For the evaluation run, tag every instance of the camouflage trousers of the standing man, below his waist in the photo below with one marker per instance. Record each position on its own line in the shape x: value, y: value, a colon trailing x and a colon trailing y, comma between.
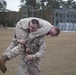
x: 28, y: 68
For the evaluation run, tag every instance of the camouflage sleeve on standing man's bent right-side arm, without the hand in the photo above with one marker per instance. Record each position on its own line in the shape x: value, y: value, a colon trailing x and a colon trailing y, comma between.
x: 41, y: 51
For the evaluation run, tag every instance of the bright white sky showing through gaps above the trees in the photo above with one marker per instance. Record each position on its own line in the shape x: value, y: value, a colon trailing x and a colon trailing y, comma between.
x: 15, y: 4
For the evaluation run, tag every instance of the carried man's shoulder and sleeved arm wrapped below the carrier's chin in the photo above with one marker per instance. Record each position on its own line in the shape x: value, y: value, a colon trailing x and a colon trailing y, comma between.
x: 45, y: 26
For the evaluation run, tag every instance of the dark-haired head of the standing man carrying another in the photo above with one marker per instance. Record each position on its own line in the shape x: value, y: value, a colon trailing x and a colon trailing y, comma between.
x: 33, y: 25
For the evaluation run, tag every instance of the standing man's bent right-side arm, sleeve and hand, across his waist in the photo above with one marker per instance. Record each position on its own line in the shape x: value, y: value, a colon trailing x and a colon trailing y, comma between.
x: 39, y: 53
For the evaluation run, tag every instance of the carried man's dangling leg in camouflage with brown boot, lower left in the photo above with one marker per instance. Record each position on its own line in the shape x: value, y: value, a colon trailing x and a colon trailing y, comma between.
x: 9, y: 55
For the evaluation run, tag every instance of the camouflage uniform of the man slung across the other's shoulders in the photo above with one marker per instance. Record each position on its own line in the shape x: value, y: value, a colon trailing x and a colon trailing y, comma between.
x: 21, y: 31
